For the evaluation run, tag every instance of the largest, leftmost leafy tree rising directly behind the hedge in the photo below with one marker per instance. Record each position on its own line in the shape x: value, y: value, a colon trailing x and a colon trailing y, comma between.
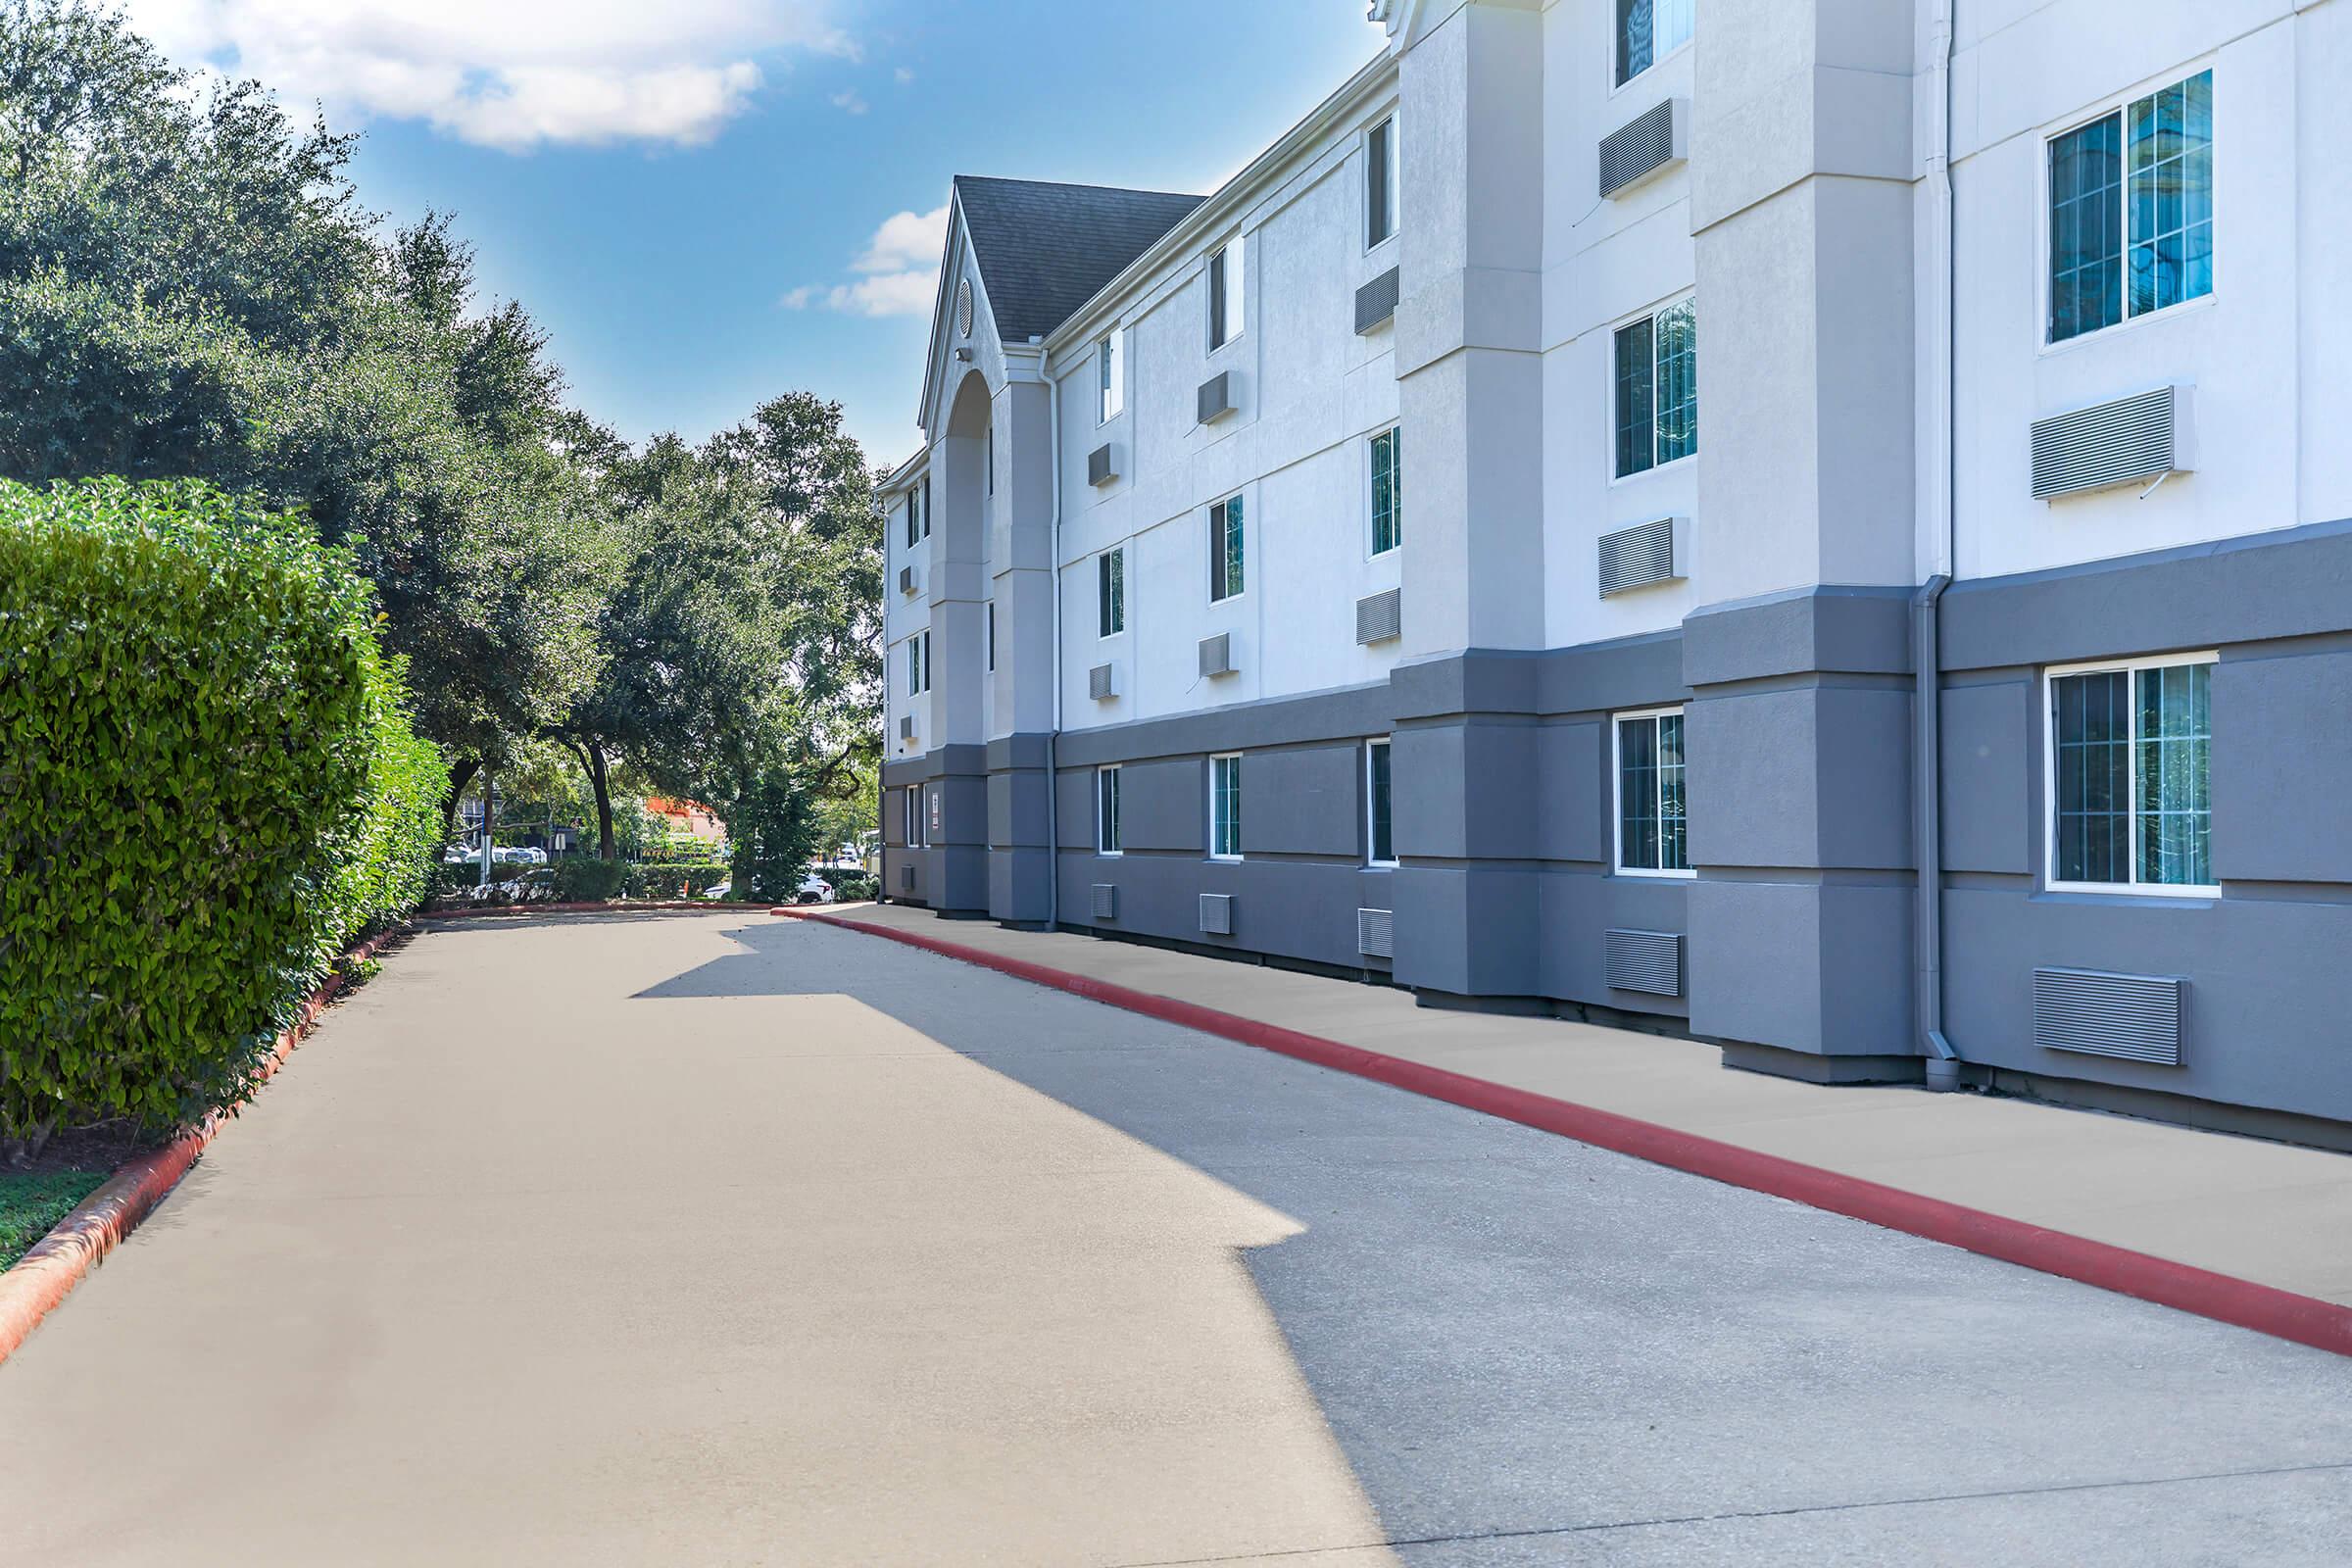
x: 192, y: 290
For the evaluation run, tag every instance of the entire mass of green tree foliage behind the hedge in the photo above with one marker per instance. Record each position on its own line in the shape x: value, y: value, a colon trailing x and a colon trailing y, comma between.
x: 189, y: 288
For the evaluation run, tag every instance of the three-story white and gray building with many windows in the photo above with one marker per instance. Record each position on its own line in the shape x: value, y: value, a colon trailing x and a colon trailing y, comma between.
x: 1812, y: 523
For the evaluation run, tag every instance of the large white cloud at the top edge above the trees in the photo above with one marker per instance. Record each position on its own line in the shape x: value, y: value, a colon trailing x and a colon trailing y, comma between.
x: 507, y: 74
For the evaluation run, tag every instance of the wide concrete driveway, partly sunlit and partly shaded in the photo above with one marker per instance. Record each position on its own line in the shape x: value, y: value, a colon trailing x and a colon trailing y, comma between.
x: 726, y: 1240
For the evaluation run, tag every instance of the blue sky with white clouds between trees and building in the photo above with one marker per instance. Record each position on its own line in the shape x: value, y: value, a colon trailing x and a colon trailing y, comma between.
x: 716, y: 201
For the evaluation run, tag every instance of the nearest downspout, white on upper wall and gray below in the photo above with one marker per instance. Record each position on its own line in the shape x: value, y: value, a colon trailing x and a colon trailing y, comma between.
x: 1927, y: 664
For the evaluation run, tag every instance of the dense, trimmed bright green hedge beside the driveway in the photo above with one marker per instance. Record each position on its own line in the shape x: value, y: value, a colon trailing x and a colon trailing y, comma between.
x: 208, y: 786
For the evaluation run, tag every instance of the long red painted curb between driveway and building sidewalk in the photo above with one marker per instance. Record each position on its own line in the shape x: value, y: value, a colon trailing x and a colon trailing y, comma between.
x: 2226, y: 1299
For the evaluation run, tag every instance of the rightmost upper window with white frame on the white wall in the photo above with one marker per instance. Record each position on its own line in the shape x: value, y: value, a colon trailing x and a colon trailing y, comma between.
x: 2132, y: 210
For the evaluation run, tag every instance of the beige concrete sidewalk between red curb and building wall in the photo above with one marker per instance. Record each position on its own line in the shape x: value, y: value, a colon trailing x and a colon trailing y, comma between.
x: 2264, y: 1212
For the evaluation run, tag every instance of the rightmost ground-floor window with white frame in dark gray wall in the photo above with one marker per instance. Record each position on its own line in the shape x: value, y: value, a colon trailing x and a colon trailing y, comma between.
x: 2127, y: 777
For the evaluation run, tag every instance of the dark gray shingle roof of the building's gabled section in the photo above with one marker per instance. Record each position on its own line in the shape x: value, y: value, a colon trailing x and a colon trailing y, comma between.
x: 1048, y: 250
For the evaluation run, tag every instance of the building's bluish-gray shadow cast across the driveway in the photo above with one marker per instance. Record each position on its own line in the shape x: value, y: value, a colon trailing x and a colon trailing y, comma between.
x: 1542, y: 1353
